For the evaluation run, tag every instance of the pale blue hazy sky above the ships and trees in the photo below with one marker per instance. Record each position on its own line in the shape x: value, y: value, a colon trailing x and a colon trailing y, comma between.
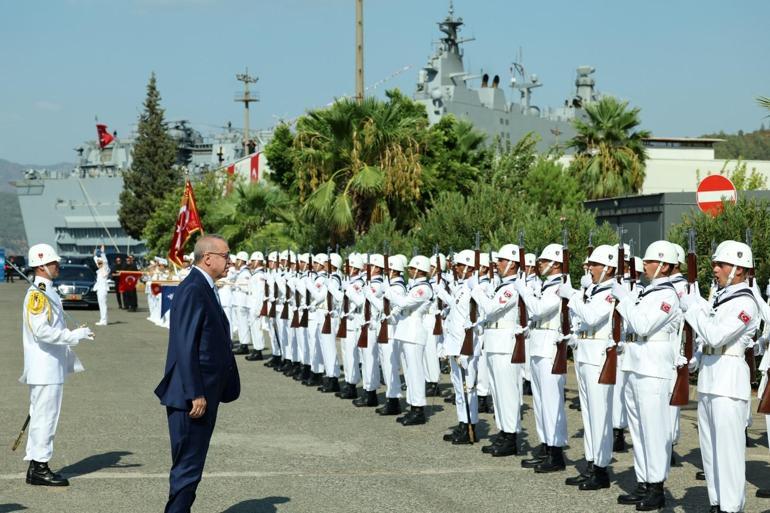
x: 692, y: 66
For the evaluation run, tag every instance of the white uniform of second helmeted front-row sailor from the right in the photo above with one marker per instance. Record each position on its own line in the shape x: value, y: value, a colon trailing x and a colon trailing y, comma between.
x: 651, y: 322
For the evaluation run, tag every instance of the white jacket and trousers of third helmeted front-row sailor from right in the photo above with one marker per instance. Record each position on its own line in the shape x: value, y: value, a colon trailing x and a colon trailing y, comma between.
x: 596, y: 400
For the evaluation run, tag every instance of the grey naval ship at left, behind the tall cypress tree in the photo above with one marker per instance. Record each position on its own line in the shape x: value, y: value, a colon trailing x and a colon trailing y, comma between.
x: 78, y: 210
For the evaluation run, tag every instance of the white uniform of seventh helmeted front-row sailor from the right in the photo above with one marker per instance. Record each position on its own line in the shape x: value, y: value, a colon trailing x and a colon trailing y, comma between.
x: 410, y: 310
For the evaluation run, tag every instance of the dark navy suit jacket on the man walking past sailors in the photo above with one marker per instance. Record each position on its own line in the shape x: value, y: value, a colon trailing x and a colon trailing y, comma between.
x: 200, y: 360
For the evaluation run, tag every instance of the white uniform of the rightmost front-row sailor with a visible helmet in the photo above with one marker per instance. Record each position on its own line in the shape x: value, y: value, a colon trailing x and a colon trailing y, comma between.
x: 724, y: 390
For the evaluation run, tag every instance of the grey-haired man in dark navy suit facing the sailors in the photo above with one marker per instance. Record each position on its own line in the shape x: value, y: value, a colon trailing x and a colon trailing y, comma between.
x: 200, y: 369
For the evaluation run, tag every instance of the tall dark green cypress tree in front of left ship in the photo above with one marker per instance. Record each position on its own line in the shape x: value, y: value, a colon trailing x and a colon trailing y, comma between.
x: 152, y: 174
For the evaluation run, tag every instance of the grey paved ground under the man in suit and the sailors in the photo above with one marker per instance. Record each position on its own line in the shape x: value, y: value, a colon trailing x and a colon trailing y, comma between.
x: 283, y: 447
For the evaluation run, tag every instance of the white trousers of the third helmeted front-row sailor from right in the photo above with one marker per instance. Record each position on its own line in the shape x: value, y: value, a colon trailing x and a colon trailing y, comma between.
x: 596, y: 407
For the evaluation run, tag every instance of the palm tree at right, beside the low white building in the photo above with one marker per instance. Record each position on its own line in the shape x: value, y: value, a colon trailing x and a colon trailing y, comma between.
x: 610, y: 154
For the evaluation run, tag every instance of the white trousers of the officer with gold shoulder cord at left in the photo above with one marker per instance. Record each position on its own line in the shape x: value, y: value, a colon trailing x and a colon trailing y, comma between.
x: 44, y: 410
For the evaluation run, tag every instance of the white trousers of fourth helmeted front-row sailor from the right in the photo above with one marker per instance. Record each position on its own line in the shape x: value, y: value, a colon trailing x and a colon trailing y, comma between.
x: 548, y: 401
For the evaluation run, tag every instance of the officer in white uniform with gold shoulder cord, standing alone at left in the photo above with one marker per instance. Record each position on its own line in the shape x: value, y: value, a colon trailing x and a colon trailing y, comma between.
x: 48, y: 358
